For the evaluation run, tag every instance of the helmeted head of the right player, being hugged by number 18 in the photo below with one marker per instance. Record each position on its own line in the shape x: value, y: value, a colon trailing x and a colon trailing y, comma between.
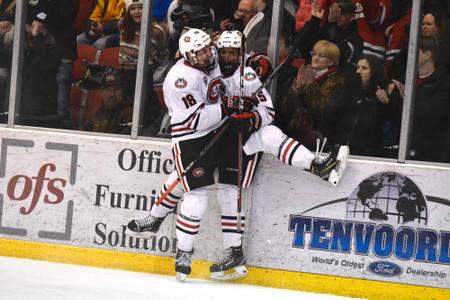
x: 229, y: 44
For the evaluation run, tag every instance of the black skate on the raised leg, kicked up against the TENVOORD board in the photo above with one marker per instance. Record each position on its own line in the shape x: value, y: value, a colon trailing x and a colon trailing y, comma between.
x: 330, y: 166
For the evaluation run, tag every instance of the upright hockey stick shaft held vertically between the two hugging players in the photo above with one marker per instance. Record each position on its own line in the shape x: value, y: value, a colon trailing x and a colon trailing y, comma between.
x: 241, y: 108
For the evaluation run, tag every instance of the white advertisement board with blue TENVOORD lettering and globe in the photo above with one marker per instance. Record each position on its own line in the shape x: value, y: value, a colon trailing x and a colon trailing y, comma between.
x: 383, y: 222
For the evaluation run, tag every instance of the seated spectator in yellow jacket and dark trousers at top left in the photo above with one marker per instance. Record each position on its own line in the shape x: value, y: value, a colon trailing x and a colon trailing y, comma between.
x: 102, y: 31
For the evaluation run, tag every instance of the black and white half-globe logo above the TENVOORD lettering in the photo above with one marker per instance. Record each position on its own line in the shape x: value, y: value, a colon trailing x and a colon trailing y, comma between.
x: 388, y: 197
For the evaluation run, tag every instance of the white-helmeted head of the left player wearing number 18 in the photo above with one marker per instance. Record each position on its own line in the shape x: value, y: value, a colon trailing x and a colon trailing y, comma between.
x: 193, y: 41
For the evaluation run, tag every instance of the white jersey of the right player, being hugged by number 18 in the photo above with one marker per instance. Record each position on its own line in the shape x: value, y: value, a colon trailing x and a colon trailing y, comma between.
x: 251, y: 84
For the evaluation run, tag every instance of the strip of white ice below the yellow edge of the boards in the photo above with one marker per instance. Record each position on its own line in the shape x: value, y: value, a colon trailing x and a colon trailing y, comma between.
x: 22, y: 279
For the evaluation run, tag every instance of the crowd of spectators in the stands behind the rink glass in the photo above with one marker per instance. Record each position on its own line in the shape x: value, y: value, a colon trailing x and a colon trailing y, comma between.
x: 345, y: 81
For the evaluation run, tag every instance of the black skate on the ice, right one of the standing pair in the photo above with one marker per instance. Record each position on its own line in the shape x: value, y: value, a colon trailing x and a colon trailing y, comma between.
x: 231, y: 266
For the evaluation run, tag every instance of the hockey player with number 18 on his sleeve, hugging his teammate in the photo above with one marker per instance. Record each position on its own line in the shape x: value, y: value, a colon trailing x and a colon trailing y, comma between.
x: 193, y: 90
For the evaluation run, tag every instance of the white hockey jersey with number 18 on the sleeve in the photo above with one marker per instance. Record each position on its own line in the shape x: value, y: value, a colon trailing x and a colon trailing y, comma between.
x: 193, y: 99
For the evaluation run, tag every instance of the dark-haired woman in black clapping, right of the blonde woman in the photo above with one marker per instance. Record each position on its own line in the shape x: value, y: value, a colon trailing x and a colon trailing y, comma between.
x: 362, y: 124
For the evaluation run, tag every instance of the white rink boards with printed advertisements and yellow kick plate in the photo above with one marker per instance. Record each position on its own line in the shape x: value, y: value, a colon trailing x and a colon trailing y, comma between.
x: 383, y: 232
